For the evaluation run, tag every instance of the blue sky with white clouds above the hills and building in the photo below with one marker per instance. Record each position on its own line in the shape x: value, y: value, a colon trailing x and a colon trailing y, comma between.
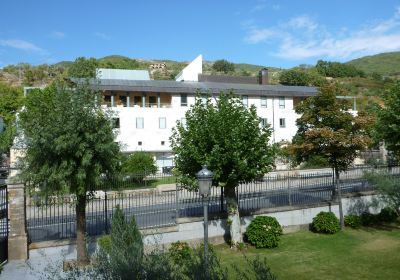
x: 263, y: 32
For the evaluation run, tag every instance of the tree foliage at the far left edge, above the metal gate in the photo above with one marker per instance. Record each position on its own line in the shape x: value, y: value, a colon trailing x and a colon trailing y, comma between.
x: 11, y: 100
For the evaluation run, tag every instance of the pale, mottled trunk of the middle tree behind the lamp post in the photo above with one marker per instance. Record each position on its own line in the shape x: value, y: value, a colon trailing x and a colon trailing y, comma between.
x: 233, y: 215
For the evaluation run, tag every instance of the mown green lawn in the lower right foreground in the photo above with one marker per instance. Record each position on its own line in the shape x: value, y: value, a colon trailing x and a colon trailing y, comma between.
x: 352, y: 254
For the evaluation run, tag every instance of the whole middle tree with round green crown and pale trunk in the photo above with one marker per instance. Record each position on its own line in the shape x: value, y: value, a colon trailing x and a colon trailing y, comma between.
x: 227, y: 137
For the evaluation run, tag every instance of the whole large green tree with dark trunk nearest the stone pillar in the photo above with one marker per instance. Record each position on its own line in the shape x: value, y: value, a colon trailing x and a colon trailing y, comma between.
x: 70, y: 146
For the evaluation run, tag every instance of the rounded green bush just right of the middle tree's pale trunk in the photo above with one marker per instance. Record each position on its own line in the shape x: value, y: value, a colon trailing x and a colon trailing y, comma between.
x: 264, y: 232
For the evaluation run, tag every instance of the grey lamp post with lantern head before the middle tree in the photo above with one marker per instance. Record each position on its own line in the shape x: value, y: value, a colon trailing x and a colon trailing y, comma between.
x: 204, y: 177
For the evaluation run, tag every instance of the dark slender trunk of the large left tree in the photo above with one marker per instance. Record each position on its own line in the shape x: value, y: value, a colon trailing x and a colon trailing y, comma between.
x: 82, y: 255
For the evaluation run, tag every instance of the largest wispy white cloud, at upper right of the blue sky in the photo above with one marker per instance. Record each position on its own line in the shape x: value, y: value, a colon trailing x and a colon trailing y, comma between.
x: 301, y: 38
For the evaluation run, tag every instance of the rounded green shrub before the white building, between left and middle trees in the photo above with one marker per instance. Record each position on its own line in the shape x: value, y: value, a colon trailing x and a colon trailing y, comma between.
x: 139, y: 163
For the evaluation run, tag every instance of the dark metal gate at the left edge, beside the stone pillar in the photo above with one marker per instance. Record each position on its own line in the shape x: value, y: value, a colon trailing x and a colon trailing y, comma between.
x: 3, y: 224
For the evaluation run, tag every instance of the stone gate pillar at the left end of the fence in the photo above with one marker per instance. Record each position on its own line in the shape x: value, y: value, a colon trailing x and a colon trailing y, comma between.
x: 17, y: 237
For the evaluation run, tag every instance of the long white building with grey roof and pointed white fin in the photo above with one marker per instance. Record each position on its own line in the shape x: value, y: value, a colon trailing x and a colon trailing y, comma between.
x: 146, y: 110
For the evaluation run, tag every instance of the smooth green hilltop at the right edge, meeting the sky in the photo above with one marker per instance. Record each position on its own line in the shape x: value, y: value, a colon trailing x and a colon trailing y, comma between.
x: 387, y: 64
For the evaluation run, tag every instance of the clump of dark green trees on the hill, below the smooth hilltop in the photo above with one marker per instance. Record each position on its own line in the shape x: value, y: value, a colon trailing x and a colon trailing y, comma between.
x: 337, y: 69
